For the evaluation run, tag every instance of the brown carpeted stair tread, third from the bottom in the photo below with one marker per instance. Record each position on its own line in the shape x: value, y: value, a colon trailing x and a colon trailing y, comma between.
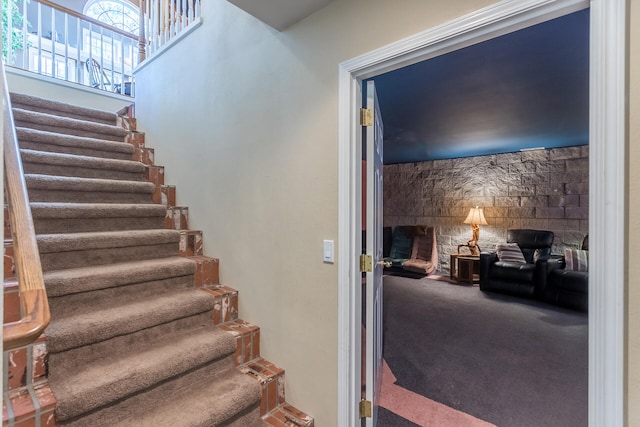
x: 93, y: 326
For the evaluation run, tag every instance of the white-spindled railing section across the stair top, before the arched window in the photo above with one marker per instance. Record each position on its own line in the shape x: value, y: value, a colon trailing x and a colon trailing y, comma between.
x: 55, y: 41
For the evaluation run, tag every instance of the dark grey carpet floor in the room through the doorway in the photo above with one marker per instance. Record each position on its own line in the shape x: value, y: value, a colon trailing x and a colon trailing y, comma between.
x: 505, y: 360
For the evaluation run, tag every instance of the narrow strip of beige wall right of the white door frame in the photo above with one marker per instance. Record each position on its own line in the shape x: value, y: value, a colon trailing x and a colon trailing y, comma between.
x: 633, y: 270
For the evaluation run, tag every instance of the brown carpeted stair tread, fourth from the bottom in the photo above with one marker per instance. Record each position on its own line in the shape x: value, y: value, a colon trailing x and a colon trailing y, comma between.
x: 85, y: 279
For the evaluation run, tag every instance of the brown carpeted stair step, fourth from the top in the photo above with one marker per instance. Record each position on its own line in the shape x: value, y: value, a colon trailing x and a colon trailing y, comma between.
x: 72, y: 165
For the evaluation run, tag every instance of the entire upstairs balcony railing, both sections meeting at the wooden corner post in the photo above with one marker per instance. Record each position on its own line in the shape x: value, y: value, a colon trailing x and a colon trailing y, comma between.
x: 52, y: 40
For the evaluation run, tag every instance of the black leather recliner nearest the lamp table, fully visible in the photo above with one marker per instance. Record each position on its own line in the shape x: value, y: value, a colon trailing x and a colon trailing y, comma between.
x: 513, y: 277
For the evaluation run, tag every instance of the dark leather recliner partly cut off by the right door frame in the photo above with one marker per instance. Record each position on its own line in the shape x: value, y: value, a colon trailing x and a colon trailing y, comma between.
x: 564, y: 287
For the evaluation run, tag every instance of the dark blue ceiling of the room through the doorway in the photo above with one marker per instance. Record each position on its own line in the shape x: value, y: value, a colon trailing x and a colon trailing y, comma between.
x: 523, y: 90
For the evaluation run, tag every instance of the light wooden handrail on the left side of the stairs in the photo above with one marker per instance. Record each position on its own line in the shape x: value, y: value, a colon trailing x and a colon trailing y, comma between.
x: 33, y: 295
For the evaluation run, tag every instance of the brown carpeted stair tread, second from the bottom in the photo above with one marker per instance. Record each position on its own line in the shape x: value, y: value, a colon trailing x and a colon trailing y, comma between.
x: 102, y: 382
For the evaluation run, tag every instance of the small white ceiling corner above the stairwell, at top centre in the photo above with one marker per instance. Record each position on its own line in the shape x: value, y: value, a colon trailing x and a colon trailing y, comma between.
x: 280, y: 14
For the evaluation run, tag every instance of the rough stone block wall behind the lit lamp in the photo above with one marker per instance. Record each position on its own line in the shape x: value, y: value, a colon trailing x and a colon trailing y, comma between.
x: 537, y: 189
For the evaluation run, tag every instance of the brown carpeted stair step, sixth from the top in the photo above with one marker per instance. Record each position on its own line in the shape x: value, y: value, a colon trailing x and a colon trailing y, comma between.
x: 52, y: 218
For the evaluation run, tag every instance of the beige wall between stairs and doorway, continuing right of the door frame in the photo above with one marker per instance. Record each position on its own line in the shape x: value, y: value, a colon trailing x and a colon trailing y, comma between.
x: 245, y: 120
